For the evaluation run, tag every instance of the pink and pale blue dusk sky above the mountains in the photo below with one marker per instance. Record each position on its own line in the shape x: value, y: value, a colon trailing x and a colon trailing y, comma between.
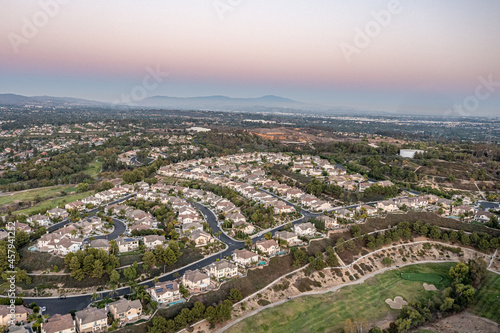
x: 426, y: 56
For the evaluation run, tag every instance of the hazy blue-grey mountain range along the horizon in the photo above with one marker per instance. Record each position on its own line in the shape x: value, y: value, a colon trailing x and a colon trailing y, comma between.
x: 268, y: 103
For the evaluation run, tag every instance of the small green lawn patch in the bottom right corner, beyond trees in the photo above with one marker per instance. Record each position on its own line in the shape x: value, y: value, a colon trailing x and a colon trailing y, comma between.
x: 487, y: 301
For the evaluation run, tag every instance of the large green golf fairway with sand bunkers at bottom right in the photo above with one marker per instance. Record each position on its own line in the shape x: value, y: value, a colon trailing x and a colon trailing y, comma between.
x: 327, y: 312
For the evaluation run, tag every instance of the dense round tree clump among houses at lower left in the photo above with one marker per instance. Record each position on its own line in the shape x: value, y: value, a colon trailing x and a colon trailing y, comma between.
x: 92, y: 263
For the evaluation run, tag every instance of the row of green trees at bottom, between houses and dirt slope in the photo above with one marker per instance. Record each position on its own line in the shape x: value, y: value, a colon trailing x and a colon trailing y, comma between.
x: 214, y: 314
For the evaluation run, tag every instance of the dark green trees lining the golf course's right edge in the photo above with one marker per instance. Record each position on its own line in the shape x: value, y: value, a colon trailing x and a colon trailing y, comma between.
x: 465, y: 278
